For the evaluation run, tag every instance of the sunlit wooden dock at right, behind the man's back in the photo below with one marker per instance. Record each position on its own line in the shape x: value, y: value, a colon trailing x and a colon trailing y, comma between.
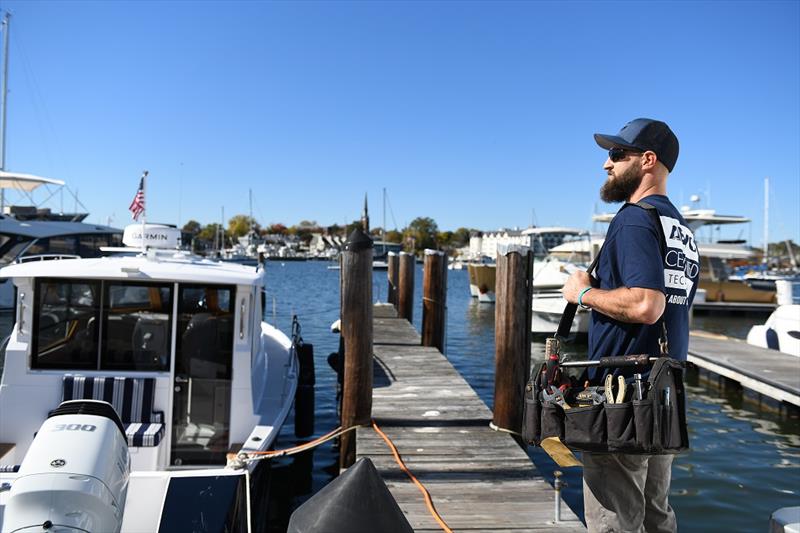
x: 771, y: 373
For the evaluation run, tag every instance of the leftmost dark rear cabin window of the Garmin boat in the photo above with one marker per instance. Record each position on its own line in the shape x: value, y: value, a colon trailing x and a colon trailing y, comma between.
x: 65, y: 324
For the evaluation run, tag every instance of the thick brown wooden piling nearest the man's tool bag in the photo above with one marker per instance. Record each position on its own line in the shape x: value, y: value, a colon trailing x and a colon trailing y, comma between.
x: 512, y: 331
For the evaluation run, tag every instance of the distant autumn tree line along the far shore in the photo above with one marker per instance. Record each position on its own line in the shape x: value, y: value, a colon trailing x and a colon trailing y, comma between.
x: 421, y: 233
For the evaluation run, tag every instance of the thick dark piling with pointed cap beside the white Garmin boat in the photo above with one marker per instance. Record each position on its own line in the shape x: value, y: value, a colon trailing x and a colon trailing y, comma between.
x: 356, y: 329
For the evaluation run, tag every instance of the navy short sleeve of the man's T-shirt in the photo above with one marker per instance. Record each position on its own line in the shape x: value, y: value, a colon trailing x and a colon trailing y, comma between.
x: 641, y: 263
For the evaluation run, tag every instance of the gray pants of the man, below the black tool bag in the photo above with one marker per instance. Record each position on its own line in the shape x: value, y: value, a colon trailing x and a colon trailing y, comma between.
x: 627, y: 493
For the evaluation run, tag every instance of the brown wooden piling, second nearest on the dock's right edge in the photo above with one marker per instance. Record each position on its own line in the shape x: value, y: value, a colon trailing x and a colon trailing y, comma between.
x: 434, y: 299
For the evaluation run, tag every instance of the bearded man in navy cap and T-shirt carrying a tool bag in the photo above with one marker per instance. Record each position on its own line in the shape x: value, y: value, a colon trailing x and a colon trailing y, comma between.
x: 636, y: 284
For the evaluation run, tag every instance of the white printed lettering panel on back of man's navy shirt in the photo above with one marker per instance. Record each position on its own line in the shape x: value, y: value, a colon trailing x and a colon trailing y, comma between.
x: 681, y: 263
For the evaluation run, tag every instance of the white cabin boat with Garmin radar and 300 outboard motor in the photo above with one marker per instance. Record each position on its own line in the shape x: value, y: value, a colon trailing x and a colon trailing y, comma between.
x: 177, y: 345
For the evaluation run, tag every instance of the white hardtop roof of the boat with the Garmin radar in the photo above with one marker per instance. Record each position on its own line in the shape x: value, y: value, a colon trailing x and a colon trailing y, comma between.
x: 155, y: 265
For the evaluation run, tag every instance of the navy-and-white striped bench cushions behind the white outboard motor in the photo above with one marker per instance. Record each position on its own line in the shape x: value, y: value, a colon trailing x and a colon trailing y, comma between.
x: 132, y: 399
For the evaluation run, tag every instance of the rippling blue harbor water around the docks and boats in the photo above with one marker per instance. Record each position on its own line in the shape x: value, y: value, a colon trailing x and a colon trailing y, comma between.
x: 743, y: 465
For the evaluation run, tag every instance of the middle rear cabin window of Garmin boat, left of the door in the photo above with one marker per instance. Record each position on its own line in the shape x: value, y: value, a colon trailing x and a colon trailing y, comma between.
x: 137, y: 326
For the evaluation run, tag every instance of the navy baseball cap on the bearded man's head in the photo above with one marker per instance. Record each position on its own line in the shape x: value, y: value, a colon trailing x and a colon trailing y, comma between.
x: 644, y: 134
